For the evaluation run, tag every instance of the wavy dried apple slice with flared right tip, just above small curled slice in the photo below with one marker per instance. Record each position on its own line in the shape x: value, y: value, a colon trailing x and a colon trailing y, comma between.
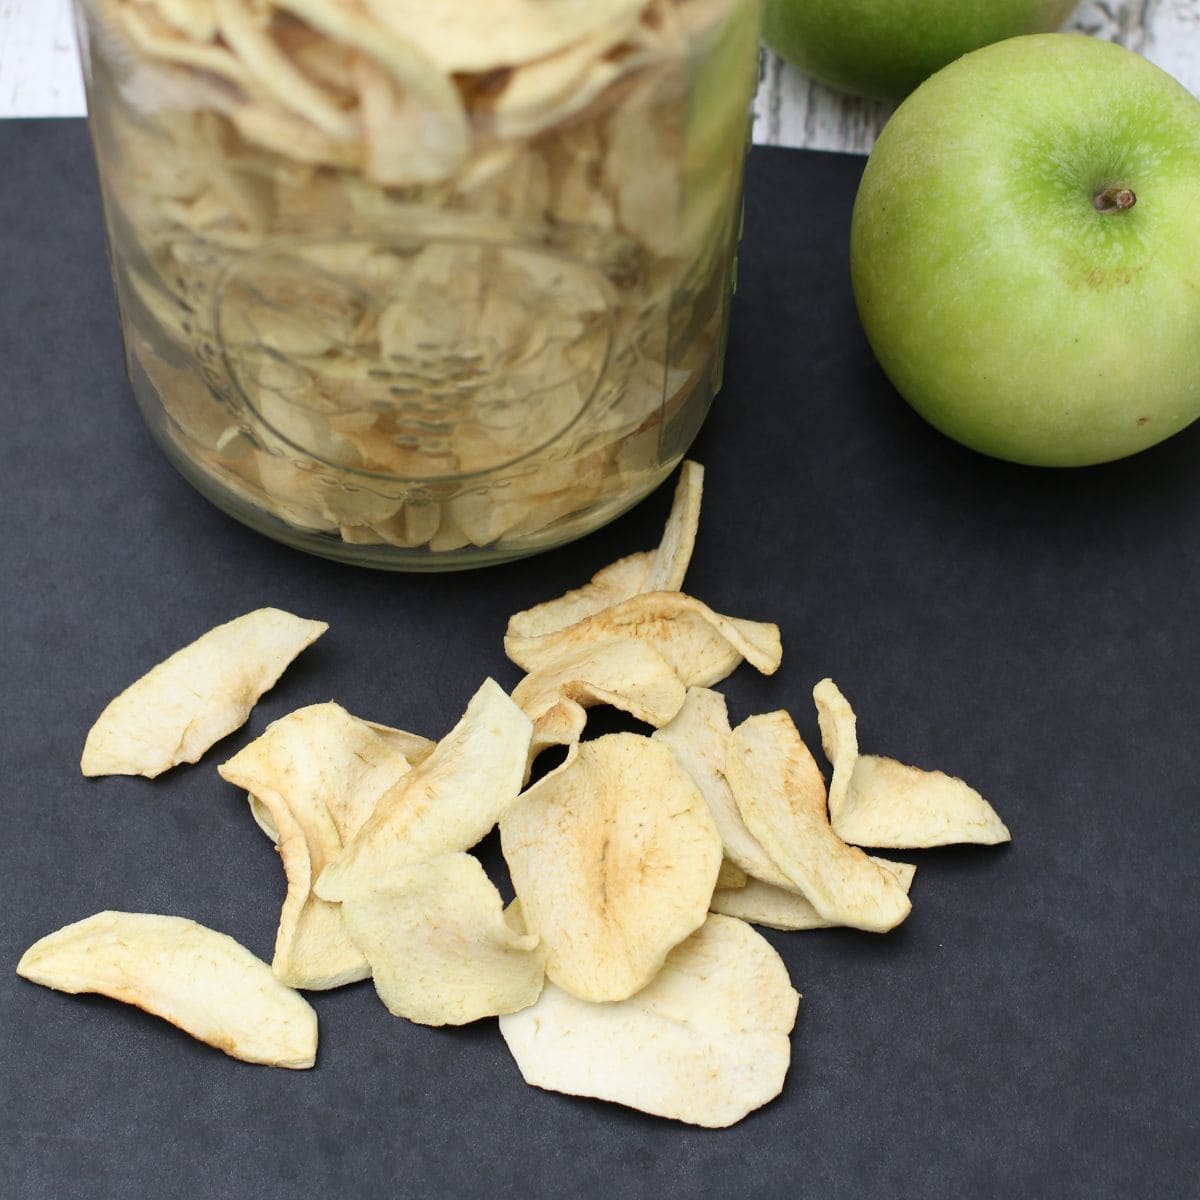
x: 701, y: 646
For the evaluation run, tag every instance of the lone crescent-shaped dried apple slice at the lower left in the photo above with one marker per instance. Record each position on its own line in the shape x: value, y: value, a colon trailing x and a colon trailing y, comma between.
x: 201, y: 981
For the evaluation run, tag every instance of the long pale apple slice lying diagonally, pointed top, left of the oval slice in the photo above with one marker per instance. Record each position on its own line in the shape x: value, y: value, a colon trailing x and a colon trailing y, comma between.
x: 449, y: 802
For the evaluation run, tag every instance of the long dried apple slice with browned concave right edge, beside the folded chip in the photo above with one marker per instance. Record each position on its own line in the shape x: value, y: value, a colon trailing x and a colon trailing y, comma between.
x: 782, y: 797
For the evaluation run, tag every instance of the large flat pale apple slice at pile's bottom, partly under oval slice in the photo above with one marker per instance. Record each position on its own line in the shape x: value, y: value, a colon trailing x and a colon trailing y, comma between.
x: 706, y: 1042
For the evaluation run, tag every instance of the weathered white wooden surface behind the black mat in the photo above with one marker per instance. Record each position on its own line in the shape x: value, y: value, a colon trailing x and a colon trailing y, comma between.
x: 40, y: 76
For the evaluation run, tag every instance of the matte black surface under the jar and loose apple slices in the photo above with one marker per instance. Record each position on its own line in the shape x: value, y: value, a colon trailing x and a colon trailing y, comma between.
x: 1033, y: 1030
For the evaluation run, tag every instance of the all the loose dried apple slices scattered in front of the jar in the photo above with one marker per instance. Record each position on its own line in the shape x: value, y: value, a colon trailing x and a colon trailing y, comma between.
x: 626, y: 968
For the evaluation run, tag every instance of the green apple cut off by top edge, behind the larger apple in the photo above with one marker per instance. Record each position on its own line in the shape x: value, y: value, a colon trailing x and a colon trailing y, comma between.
x: 884, y: 49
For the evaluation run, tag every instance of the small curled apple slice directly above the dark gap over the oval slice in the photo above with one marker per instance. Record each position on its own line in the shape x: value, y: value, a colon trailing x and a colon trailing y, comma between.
x: 622, y: 673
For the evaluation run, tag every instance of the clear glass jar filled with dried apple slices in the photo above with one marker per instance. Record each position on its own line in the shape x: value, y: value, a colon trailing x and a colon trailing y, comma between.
x: 422, y: 285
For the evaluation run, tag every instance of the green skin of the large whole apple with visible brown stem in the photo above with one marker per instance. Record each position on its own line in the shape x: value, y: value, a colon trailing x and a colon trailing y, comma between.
x: 1003, y: 305
